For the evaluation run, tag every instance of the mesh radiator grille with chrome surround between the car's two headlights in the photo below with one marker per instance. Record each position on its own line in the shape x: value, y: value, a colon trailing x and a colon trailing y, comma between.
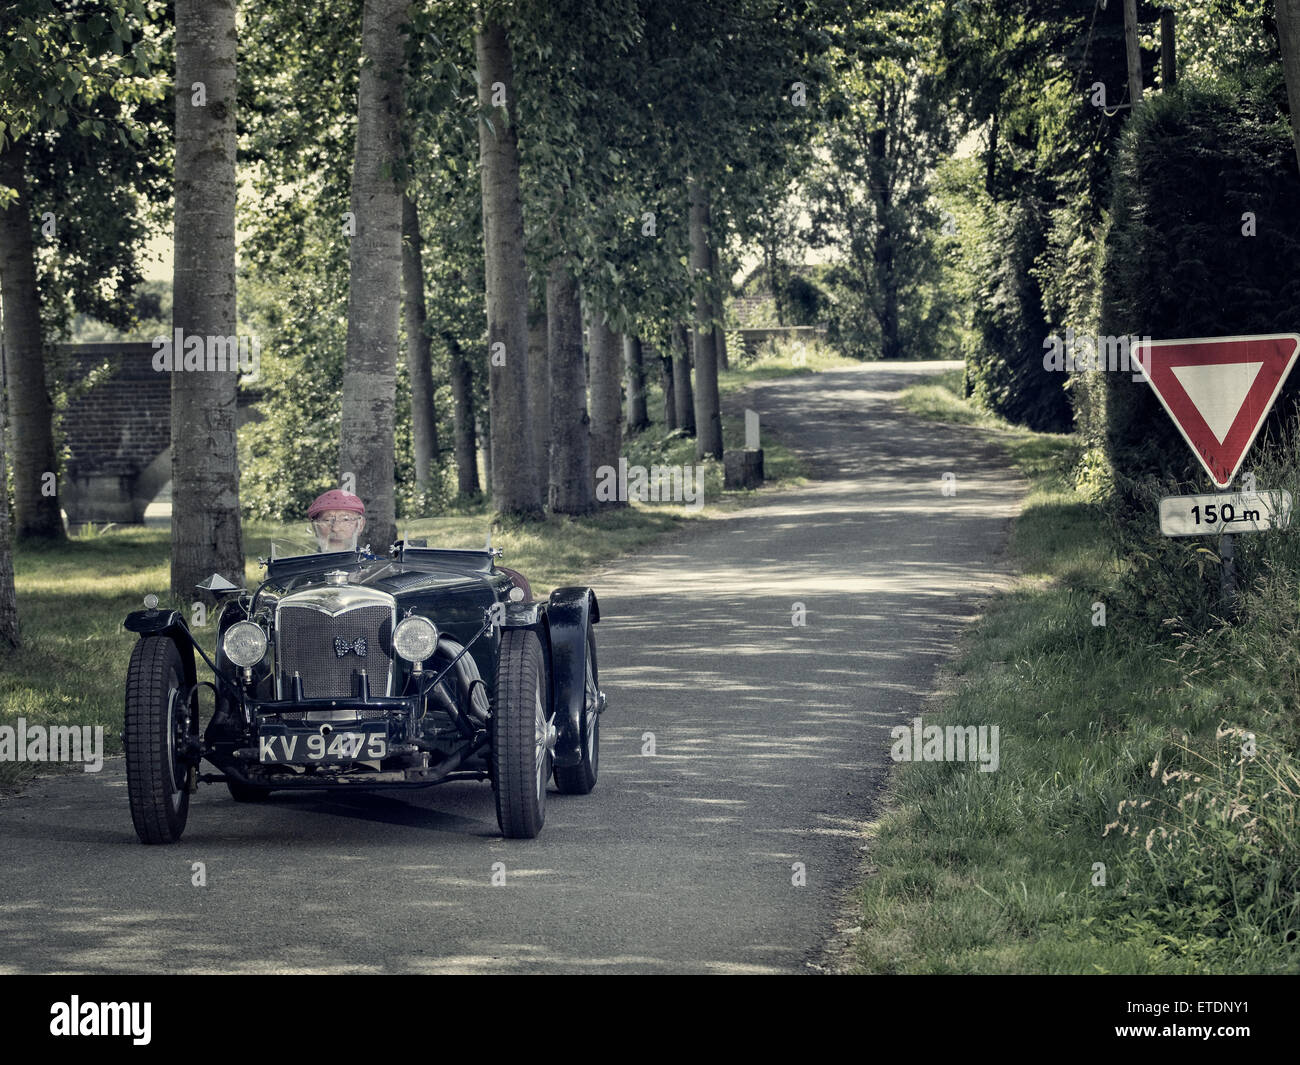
x: 306, y: 643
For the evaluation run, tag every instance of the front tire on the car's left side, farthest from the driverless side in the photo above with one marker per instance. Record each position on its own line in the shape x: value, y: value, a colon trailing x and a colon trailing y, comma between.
x: 157, y: 729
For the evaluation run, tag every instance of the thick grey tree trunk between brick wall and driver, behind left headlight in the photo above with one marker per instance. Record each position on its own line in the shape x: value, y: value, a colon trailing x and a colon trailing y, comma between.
x: 206, y: 531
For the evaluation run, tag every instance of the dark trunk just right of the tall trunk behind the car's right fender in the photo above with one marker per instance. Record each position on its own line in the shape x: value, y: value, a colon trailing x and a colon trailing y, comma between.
x: 571, y: 445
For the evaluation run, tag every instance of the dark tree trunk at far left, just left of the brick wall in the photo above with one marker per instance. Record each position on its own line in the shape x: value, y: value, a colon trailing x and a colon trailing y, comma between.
x: 31, y: 408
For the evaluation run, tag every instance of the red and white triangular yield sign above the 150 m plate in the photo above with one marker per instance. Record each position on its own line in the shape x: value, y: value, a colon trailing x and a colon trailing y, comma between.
x: 1219, y: 392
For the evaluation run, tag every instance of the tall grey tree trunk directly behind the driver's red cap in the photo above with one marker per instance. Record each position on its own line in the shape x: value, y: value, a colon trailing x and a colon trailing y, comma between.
x: 375, y: 293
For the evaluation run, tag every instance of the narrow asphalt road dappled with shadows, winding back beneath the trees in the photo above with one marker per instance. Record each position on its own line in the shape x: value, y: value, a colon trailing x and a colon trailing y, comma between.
x: 770, y: 746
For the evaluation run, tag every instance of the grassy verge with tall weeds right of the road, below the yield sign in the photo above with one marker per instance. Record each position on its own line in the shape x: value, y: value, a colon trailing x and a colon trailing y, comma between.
x: 1089, y: 850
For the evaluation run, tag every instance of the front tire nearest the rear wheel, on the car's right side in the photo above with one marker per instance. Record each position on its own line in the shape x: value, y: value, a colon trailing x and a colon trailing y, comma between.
x: 521, y: 754
